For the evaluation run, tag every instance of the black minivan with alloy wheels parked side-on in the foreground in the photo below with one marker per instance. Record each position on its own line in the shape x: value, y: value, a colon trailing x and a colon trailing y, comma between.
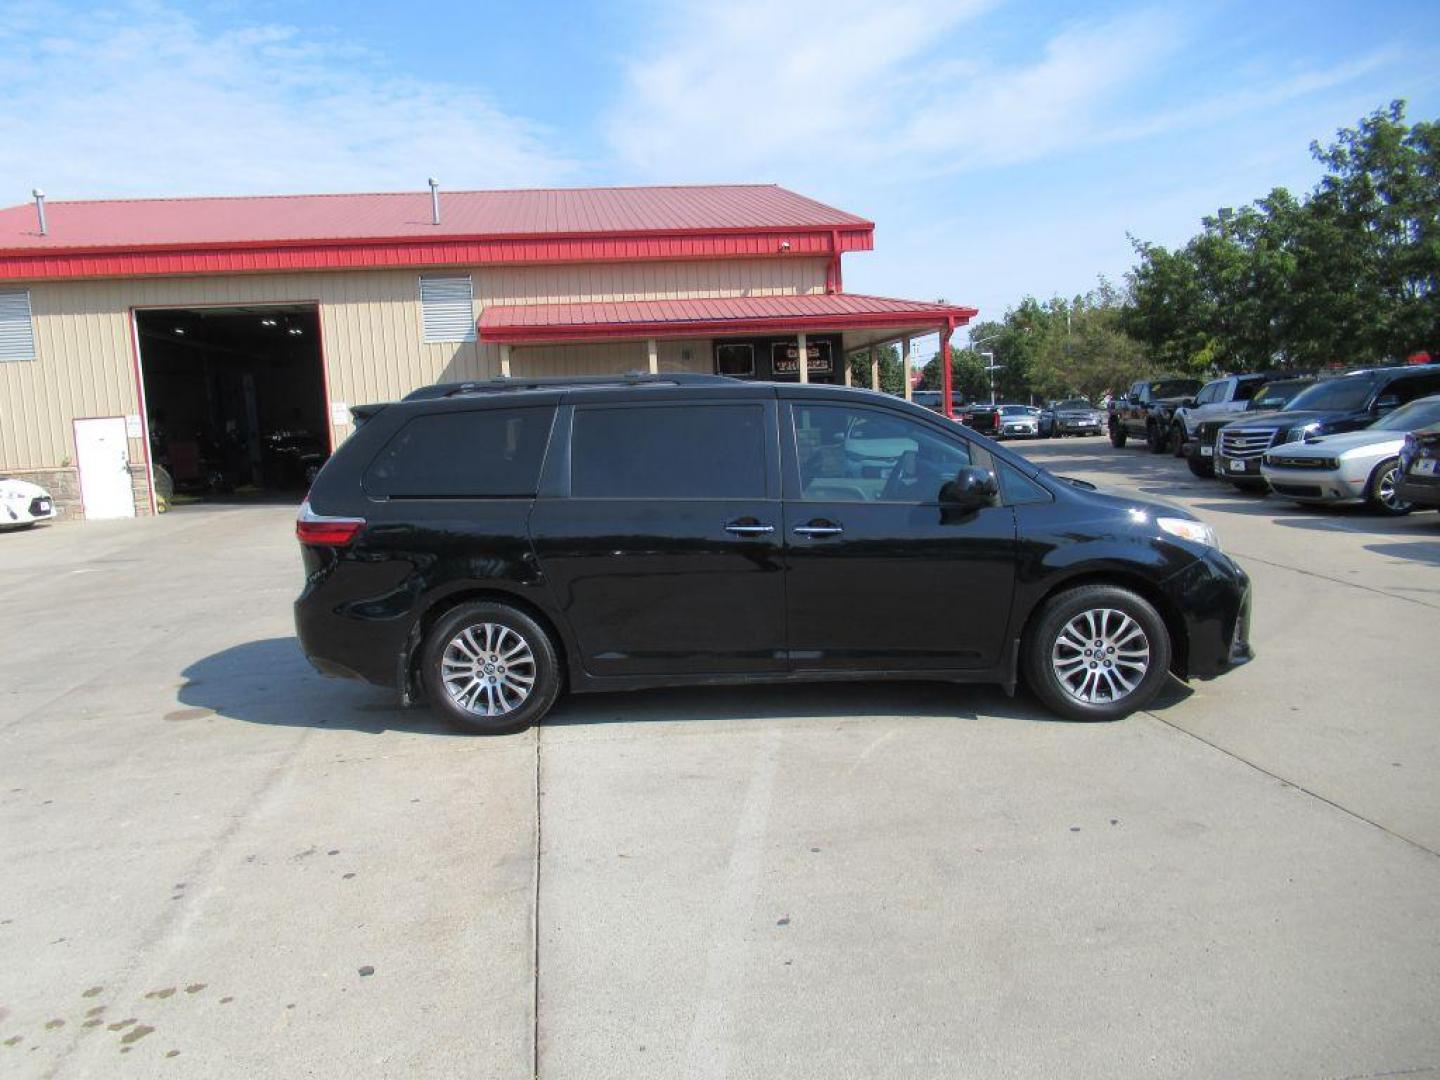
x: 489, y: 545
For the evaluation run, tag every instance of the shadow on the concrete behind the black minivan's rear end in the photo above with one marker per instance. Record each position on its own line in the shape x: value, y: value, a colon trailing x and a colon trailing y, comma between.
x: 271, y: 683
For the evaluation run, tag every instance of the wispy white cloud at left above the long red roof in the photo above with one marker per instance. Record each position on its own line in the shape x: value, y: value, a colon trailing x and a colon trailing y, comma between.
x: 142, y: 100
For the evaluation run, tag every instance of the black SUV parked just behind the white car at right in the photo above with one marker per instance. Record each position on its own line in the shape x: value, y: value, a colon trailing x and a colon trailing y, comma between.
x: 1347, y: 402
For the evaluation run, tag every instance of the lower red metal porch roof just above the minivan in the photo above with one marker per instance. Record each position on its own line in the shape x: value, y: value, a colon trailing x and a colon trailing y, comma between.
x: 535, y: 323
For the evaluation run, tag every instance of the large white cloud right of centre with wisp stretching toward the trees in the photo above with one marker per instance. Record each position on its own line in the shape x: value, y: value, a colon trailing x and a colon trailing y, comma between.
x: 734, y: 90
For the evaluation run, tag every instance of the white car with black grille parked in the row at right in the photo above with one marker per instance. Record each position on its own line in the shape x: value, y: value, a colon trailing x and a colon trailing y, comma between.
x: 1351, y: 467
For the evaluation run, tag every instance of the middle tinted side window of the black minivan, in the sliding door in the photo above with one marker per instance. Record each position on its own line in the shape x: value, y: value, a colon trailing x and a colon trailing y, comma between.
x: 680, y: 451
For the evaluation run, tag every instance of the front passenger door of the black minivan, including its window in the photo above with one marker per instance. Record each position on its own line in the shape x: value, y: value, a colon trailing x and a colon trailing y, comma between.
x: 878, y: 575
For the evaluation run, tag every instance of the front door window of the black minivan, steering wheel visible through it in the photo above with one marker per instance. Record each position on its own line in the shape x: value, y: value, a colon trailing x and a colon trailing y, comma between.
x: 853, y: 454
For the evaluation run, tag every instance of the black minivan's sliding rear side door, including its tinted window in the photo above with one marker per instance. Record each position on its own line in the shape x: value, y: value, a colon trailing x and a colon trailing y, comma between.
x: 666, y: 557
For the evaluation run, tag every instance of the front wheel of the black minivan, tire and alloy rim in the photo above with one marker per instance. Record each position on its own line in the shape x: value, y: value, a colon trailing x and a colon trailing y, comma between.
x: 1053, y: 644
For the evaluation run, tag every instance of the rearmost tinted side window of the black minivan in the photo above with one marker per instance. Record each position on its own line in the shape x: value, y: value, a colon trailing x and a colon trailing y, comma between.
x: 485, y: 454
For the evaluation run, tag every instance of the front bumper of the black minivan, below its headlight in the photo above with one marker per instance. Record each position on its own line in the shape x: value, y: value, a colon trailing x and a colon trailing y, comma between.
x: 1213, y: 598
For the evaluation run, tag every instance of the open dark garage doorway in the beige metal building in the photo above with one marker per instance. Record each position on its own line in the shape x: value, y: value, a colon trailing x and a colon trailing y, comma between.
x: 235, y: 402
